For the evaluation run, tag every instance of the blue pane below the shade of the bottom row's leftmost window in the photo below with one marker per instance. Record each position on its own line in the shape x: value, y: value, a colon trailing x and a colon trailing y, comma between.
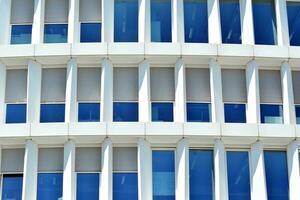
x: 12, y: 186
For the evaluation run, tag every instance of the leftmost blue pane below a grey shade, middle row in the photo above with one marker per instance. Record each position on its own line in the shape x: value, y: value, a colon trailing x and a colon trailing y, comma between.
x: 16, y: 113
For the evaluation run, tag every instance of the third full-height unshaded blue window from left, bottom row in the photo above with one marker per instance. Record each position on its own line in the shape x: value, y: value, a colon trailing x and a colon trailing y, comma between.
x: 238, y: 175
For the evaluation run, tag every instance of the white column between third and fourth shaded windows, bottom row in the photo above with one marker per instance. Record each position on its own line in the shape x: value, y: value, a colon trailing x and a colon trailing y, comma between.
x: 106, y: 171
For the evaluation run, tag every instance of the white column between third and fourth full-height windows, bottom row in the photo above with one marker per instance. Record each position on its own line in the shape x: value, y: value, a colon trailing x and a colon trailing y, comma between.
x: 257, y: 172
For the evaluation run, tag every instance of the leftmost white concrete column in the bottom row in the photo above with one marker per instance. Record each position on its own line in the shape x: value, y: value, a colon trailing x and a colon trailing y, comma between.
x: 30, y: 171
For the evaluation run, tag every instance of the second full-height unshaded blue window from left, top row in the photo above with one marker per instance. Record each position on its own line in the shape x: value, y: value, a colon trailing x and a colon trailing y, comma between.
x: 161, y: 29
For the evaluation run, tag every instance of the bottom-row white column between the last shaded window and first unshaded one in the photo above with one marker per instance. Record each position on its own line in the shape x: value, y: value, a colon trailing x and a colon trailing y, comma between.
x: 144, y: 170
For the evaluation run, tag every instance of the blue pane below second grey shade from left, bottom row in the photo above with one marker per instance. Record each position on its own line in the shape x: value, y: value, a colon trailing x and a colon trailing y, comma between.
x: 49, y: 186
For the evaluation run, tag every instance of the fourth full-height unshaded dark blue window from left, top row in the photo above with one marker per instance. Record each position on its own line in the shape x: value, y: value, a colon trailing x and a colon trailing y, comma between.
x: 230, y: 21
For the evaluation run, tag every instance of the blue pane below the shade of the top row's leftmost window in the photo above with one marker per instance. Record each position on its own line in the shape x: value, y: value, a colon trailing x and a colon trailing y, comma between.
x: 21, y: 34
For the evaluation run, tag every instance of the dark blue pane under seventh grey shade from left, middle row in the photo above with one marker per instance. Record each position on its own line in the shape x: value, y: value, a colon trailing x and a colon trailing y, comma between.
x: 235, y: 113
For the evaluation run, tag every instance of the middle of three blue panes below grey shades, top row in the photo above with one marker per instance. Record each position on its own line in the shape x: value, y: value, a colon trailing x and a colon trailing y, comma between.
x: 56, y: 33
